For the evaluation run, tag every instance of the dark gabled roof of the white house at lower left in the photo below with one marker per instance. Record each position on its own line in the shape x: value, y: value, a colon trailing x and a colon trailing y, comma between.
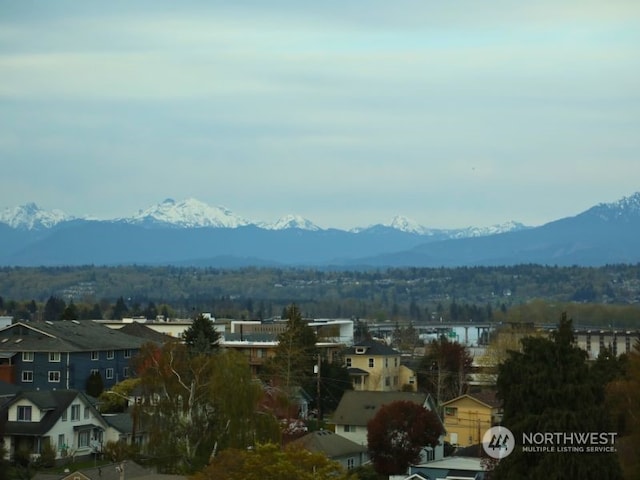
x: 52, y: 402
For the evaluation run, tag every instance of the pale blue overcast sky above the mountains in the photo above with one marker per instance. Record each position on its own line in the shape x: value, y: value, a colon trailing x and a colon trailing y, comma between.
x: 452, y: 113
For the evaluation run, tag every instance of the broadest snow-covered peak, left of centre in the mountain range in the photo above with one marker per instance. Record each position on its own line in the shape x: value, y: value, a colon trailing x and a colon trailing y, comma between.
x: 189, y: 213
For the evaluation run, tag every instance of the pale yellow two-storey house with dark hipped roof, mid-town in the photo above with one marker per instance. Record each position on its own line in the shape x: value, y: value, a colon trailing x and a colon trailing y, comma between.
x: 374, y: 366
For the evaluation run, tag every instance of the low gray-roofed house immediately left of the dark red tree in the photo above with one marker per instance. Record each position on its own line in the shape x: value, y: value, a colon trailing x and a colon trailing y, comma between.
x: 349, y: 454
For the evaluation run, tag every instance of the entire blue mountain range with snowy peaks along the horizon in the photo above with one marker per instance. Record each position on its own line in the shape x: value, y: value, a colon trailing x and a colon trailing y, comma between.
x: 192, y: 233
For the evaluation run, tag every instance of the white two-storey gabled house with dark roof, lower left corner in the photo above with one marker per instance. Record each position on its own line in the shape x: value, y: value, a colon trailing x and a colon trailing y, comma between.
x: 65, y: 418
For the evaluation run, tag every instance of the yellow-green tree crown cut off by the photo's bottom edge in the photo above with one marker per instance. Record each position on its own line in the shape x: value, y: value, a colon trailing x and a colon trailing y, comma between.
x: 270, y: 462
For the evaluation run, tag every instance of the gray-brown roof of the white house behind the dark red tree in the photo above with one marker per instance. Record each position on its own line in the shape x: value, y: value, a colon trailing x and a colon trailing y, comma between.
x: 358, y: 407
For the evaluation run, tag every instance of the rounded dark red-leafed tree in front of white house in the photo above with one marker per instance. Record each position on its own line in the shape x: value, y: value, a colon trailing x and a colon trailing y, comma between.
x: 397, y: 434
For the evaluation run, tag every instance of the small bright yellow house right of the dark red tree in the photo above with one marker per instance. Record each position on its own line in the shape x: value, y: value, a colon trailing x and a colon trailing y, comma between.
x: 467, y: 417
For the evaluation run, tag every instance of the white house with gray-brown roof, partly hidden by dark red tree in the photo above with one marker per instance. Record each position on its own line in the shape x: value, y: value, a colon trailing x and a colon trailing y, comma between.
x: 356, y: 408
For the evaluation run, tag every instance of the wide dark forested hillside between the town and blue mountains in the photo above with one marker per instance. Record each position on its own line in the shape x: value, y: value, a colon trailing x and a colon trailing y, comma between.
x: 415, y: 294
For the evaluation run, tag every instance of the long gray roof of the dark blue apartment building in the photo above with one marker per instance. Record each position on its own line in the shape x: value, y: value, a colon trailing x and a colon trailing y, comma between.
x: 65, y: 336
